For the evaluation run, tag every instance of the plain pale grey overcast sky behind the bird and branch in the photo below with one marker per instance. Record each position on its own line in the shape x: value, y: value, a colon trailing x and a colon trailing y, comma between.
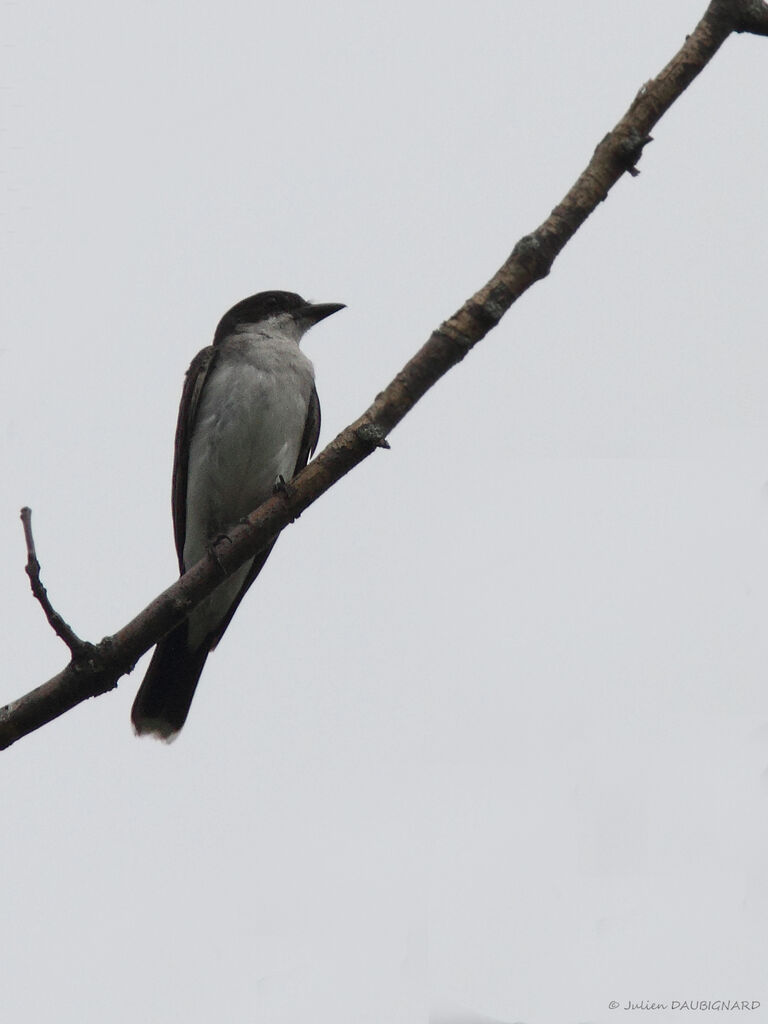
x: 492, y: 730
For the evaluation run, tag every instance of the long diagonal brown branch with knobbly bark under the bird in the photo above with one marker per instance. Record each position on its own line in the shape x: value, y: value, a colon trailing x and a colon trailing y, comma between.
x: 97, y: 669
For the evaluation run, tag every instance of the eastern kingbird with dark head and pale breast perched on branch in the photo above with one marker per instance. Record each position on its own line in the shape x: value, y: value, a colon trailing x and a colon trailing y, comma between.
x: 249, y: 418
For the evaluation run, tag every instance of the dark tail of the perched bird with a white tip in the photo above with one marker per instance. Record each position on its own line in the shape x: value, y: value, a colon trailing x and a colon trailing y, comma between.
x: 165, y: 696
